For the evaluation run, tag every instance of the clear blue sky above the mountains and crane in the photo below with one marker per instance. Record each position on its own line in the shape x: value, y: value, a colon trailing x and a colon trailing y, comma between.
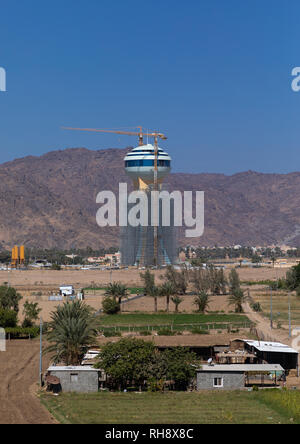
x: 214, y: 75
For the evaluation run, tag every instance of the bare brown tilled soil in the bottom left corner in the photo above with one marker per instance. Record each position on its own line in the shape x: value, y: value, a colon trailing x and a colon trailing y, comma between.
x: 19, y: 367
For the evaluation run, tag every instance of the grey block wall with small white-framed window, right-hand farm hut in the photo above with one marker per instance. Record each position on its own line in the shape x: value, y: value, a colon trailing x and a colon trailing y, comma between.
x: 232, y: 381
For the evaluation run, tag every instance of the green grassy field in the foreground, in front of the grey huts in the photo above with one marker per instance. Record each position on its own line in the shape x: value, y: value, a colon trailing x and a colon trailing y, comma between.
x: 265, y: 407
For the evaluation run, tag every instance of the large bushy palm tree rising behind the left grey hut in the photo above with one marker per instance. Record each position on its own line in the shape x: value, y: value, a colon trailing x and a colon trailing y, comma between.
x: 72, y: 330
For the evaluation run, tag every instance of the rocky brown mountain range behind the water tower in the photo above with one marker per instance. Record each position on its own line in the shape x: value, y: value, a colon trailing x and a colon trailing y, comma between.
x: 50, y: 201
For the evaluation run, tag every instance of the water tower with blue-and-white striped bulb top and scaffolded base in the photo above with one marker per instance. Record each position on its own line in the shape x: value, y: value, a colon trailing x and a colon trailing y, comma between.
x: 149, y: 245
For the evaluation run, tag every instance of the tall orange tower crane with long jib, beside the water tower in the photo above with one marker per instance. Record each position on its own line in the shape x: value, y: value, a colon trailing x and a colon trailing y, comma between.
x: 156, y: 135
